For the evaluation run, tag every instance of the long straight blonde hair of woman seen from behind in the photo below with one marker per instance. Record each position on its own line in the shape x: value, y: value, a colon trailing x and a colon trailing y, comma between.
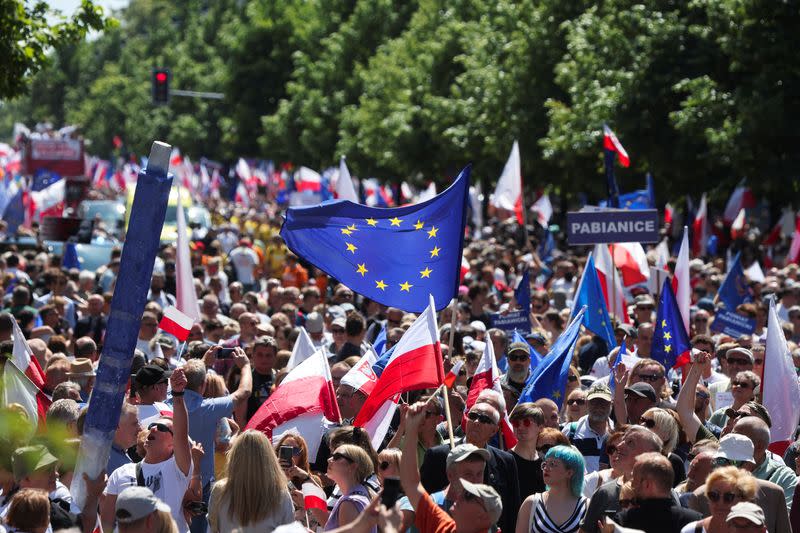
x: 254, y: 485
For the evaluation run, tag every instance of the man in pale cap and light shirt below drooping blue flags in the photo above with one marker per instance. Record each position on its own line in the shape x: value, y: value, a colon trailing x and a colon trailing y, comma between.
x: 590, y: 432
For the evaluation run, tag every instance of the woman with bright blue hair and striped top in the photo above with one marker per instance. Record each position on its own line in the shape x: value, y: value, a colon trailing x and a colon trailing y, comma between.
x: 561, y: 508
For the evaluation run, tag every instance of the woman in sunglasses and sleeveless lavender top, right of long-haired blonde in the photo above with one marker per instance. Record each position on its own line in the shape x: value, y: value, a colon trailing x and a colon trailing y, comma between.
x: 348, y: 467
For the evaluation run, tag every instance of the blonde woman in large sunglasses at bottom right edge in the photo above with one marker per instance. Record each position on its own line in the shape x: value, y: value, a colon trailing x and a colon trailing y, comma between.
x: 725, y: 487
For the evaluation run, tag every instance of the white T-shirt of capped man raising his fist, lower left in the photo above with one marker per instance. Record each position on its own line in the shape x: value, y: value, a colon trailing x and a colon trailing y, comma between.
x: 165, y: 479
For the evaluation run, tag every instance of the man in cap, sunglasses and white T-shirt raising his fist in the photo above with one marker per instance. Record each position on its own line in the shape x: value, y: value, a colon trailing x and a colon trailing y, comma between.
x: 167, y: 464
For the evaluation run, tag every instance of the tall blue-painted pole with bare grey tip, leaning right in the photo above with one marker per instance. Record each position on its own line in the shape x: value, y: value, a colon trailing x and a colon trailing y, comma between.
x: 127, y: 305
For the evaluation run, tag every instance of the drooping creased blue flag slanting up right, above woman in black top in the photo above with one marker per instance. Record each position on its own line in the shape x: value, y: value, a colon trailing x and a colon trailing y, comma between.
x: 549, y: 380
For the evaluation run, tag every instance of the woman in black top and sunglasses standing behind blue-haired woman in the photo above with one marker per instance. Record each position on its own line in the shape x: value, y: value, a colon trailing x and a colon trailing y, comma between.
x: 527, y: 421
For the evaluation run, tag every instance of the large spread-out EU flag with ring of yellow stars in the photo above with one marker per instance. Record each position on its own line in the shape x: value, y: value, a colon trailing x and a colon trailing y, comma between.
x: 397, y: 256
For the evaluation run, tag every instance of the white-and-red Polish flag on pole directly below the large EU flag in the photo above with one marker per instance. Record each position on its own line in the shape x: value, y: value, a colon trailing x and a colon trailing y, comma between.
x: 416, y: 363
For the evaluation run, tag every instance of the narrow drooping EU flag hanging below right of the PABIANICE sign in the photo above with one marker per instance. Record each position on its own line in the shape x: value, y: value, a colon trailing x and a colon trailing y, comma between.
x: 670, y: 340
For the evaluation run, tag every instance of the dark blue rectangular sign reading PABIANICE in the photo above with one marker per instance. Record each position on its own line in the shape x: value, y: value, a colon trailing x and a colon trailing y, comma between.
x: 601, y: 226
